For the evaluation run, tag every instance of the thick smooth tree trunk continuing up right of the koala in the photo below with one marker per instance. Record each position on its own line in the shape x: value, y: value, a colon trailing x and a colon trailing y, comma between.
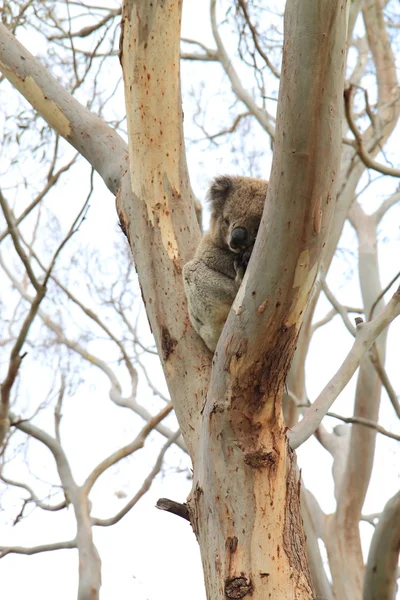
x: 244, y: 505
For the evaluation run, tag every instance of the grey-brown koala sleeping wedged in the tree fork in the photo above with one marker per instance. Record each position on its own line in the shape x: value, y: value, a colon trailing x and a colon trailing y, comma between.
x: 213, y: 277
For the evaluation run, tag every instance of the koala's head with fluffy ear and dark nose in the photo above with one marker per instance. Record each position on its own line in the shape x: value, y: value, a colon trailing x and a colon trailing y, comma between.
x: 237, y: 204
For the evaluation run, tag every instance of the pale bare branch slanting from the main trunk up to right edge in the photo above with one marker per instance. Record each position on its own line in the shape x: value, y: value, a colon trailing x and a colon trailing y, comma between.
x: 365, y: 336
